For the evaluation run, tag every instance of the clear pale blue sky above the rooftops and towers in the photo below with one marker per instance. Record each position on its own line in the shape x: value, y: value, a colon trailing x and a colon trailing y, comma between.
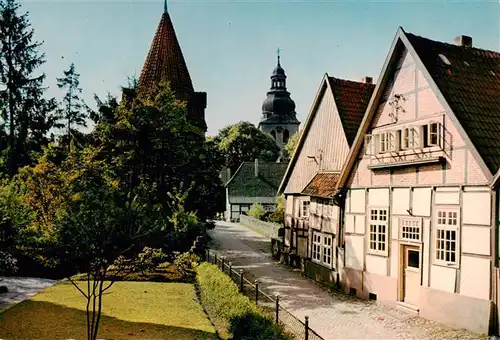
x: 230, y: 46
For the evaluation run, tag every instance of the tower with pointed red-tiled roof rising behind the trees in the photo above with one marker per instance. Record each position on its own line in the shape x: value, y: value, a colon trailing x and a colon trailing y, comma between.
x: 166, y: 62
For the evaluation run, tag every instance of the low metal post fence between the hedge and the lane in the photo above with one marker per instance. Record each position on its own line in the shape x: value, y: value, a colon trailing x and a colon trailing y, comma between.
x: 298, y: 329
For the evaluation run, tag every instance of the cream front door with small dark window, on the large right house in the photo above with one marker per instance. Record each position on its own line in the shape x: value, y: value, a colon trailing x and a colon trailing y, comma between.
x: 411, y: 274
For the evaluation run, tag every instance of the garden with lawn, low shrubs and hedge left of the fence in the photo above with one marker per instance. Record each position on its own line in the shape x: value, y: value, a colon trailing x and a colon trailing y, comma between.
x: 145, y: 299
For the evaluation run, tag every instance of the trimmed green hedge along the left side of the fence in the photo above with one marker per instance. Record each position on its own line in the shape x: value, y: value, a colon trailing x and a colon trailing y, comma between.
x: 233, y: 314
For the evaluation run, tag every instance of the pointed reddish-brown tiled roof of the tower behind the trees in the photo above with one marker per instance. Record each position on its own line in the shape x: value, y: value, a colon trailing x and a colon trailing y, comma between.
x: 165, y: 61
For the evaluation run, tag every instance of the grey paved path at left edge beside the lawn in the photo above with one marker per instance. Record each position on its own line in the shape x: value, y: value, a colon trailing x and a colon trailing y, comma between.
x: 20, y: 289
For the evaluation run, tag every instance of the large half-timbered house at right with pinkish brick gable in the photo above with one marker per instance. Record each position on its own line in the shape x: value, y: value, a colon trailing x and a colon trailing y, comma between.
x: 420, y: 211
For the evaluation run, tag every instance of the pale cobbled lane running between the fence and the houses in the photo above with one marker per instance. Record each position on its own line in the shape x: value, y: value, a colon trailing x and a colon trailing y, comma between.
x: 332, y: 314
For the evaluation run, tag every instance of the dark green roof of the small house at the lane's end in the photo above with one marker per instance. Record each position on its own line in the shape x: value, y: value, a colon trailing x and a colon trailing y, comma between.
x: 245, y: 184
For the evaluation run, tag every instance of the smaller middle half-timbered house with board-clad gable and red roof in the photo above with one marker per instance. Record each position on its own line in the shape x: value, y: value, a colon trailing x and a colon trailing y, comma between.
x: 322, y: 148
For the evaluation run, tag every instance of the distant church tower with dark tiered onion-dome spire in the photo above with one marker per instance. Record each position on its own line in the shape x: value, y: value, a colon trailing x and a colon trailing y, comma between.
x: 279, y: 118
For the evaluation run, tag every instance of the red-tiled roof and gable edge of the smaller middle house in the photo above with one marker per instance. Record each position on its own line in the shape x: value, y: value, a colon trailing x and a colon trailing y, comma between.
x: 351, y: 99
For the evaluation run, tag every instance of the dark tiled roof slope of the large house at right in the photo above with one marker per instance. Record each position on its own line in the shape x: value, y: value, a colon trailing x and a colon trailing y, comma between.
x: 471, y: 86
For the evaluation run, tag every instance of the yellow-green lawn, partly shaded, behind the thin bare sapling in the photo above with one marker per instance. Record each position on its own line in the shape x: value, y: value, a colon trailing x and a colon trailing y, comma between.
x: 131, y: 310
